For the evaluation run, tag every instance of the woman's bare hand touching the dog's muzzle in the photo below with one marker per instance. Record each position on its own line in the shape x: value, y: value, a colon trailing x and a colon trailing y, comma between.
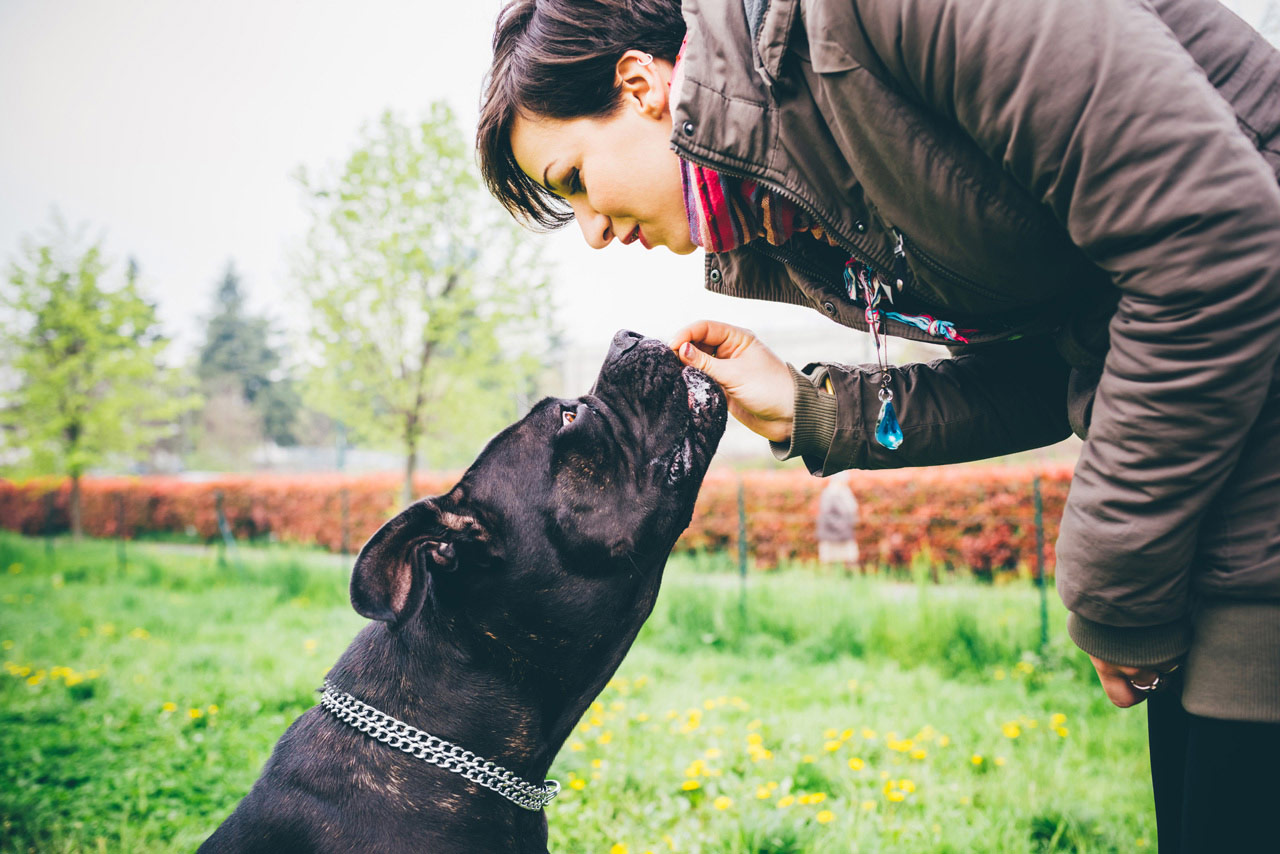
x: 758, y: 385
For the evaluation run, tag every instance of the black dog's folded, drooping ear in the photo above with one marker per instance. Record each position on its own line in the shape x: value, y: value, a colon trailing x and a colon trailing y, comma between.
x: 391, y: 578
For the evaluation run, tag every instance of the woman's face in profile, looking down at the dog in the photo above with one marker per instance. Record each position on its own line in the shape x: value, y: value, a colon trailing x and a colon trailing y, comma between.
x: 618, y: 173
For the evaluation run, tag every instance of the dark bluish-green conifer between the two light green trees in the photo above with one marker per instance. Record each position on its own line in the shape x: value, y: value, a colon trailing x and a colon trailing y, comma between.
x: 237, y: 349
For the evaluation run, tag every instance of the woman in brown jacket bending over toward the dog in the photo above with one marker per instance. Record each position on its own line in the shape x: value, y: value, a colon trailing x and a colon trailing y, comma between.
x: 1081, y: 198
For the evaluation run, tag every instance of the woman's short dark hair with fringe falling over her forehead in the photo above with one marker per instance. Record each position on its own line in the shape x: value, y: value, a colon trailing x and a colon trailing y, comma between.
x: 559, y: 60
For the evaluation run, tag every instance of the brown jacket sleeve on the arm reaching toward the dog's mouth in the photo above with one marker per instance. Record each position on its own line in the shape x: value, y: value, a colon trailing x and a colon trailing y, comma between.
x: 984, y: 403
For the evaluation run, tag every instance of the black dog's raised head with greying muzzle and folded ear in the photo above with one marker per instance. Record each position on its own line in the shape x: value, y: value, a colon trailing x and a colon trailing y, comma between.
x: 565, y: 522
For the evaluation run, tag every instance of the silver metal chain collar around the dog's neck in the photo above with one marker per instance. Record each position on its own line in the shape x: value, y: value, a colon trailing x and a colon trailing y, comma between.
x: 438, y: 752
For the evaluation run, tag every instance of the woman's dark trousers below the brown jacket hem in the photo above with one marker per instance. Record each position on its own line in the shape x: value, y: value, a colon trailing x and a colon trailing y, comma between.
x: 1217, y: 783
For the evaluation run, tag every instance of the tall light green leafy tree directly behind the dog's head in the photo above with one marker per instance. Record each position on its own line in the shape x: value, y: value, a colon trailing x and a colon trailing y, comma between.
x: 428, y: 304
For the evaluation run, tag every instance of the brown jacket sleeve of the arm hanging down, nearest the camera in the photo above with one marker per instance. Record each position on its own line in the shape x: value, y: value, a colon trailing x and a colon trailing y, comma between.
x: 1095, y: 108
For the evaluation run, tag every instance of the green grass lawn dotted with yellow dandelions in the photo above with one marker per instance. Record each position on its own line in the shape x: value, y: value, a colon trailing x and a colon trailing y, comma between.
x: 176, y: 675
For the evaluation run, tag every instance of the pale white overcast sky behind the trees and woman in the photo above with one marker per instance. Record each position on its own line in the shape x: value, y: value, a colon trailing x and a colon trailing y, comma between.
x: 173, y: 129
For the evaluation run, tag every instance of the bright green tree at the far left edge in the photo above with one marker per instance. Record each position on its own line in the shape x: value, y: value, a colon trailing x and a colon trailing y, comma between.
x: 85, y: 349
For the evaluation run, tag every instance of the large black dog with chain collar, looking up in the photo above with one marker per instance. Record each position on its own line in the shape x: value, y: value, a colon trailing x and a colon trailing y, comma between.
x: 502, y: 610
